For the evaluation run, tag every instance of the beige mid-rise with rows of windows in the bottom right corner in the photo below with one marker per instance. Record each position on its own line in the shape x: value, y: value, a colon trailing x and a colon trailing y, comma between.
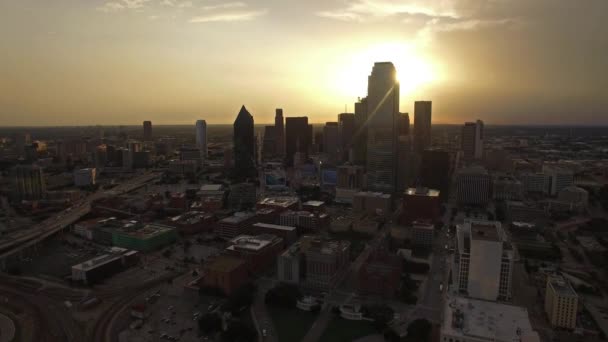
x: 561, y: 303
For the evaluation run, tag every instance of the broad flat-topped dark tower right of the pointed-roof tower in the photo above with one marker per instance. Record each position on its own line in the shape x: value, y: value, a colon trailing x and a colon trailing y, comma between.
x: 298, y: 138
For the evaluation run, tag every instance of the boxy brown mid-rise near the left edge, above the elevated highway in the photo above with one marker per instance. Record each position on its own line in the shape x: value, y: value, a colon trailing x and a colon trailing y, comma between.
x: 28, y: 182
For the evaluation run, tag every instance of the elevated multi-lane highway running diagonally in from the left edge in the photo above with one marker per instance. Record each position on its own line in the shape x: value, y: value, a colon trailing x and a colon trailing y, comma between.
x: 16, y: 242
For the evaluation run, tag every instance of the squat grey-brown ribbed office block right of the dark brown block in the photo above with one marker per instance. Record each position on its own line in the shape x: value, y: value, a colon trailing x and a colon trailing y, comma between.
x: 473, y: 186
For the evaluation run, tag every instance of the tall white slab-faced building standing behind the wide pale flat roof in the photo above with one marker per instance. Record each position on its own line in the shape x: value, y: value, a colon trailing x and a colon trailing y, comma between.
x: 484, y: 261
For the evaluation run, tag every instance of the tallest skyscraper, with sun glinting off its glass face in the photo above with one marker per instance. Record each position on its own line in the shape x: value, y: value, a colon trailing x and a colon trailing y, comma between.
x: 383, y: 115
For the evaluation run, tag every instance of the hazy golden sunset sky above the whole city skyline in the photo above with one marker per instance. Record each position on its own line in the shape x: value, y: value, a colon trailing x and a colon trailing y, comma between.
x: 86, y: 62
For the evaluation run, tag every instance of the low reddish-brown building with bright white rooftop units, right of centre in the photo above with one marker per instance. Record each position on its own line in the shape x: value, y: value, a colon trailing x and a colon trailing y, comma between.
x: 420, y: 204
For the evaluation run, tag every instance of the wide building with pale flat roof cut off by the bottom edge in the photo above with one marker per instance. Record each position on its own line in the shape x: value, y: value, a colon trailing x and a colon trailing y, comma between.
x: 470, y: 320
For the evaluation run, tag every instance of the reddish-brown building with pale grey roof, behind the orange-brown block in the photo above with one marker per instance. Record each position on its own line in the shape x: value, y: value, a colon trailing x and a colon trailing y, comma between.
x: 258, y: 251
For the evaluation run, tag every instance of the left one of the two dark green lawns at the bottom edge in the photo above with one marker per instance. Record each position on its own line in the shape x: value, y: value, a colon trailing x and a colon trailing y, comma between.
x: 291, y: 324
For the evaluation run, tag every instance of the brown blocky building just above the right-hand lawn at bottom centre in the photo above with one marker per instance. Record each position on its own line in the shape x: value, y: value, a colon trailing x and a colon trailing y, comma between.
x: 325, y: 263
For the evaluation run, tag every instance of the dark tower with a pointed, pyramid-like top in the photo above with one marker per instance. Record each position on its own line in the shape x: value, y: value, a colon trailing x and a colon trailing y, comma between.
x: 244, y: 145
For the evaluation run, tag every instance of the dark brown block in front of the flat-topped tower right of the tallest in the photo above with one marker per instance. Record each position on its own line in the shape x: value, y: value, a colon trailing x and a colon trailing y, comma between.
x: 435, y: 170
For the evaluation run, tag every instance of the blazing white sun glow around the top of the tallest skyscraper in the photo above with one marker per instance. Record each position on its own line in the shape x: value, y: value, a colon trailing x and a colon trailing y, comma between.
x: 413, y: 71
